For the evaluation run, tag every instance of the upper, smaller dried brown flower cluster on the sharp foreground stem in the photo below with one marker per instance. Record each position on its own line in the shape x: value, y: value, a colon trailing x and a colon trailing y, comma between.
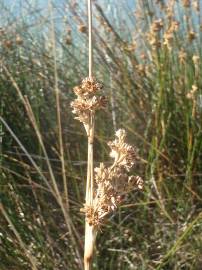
x: 87, y: 101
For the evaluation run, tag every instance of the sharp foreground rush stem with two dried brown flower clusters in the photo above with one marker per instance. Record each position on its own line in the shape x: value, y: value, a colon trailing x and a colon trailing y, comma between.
x: 105, y: 186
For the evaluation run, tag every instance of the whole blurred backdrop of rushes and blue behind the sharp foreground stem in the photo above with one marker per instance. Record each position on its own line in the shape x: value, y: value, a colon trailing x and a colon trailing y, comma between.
x: 148, y: 55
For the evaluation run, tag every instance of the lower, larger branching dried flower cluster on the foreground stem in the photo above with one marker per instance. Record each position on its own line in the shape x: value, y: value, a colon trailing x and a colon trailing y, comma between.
x: 113, y: 182
